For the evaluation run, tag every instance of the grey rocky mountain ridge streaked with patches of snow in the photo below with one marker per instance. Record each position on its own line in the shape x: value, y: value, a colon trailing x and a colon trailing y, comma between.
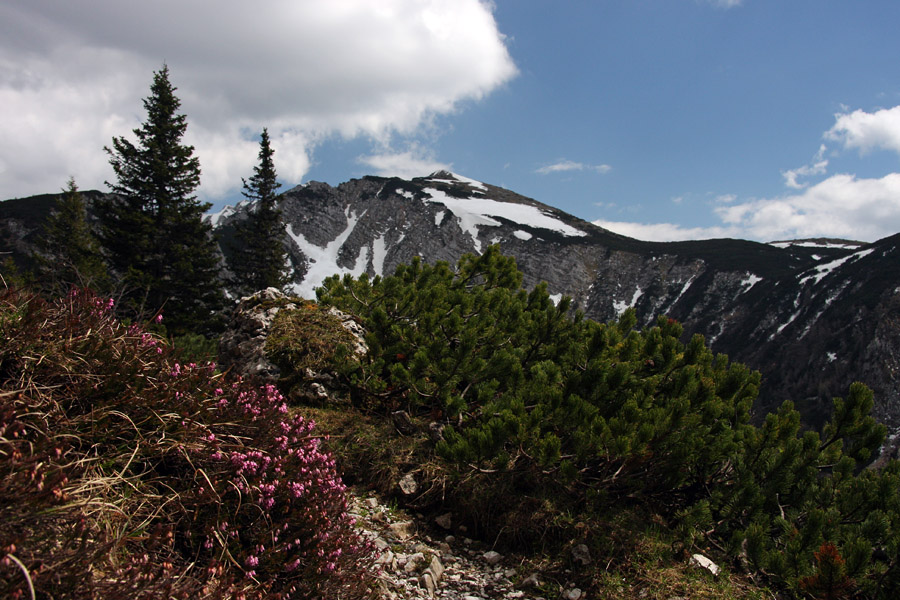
x: 812, y: 315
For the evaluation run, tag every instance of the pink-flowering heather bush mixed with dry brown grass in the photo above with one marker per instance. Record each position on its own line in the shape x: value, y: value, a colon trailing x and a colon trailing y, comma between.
x: 127, y: 474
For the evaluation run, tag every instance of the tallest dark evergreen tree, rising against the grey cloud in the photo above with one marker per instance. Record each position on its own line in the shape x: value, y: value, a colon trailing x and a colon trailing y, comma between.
x: 153, y: 228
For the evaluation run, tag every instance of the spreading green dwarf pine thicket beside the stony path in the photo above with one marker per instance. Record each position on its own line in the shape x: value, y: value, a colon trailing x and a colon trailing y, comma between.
x: 592, y: 418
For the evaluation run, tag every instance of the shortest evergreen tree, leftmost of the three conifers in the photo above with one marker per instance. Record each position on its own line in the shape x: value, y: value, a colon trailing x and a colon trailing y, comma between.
x: 68, y: 252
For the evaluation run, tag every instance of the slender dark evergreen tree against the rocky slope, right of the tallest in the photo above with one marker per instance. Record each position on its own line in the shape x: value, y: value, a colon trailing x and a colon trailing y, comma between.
x: 258, y: 259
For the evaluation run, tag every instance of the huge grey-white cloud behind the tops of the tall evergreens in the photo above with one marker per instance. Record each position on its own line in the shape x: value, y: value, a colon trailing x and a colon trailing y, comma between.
x: 72, y: 75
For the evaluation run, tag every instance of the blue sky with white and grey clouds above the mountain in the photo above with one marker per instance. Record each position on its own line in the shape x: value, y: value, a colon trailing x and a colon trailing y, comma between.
x: 659, y: 119
